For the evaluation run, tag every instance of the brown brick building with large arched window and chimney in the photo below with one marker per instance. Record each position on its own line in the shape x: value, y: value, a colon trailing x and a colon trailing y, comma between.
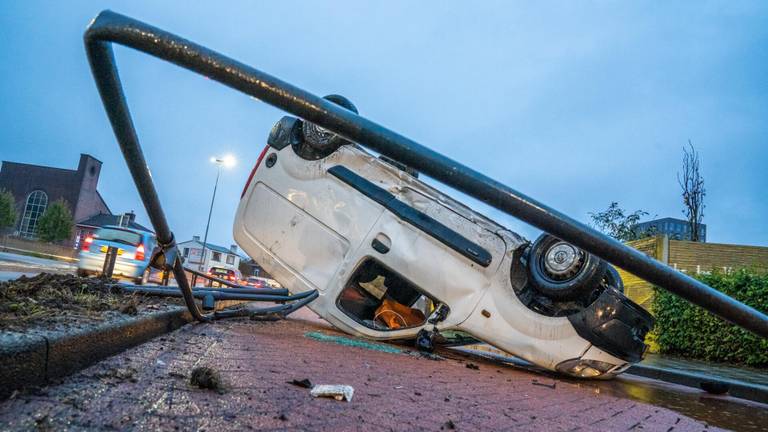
x: 35, y: 187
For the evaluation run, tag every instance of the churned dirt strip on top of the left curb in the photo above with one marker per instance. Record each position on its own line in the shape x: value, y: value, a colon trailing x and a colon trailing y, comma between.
x: 50, y: 297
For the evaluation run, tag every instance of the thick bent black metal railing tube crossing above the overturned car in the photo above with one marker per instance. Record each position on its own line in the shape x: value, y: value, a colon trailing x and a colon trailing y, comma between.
x: 109, y: 27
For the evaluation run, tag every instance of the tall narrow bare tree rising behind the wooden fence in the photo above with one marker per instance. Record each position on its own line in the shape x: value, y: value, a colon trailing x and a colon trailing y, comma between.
x: 692, y: 184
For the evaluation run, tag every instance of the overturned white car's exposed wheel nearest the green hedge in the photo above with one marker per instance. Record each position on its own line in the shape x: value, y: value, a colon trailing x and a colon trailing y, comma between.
x: 561, y: 271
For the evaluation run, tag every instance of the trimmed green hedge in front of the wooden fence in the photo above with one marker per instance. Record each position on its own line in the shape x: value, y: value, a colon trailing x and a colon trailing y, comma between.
x: 690, y: 331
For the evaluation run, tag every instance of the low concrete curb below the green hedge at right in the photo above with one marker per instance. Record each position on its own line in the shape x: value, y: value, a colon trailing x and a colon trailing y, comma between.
x: 739, y: 389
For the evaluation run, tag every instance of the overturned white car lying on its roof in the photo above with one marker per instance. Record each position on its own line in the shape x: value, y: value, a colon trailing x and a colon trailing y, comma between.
x: 394, y: 258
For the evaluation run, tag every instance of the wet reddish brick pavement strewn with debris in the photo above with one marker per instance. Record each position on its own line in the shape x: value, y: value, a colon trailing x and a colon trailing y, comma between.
x: 392, y: 391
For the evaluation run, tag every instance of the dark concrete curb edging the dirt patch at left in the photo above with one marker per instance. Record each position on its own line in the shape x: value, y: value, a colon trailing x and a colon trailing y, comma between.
x: 36, y: 358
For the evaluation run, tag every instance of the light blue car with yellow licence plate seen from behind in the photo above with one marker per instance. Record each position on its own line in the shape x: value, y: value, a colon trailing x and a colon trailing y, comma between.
x: 134, y: 248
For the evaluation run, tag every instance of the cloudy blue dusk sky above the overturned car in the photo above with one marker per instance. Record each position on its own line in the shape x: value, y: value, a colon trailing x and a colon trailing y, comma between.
x: 576, y: 104
